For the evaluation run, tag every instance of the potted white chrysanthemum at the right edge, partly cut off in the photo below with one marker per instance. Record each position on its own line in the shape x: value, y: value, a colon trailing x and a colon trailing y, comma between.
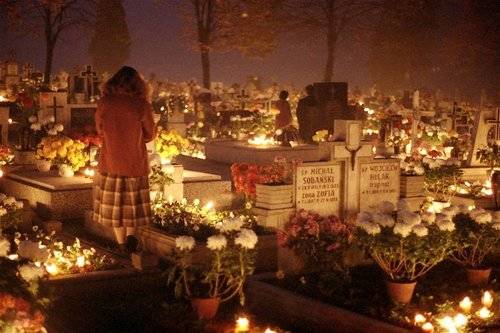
x: 478, y: 234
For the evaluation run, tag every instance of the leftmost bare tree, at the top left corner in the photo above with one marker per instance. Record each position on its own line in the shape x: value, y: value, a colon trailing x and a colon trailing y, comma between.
x: 49, y: 18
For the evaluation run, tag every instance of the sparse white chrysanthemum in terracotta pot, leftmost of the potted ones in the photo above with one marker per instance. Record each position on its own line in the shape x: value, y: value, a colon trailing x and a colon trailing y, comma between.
x: 221, y: 277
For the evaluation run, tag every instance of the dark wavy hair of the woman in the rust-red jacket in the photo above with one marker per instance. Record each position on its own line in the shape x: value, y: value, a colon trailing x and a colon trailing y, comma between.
x: 127, y: 81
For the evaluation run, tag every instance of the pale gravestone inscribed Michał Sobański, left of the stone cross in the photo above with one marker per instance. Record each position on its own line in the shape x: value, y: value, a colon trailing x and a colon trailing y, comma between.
x: 318, y: 187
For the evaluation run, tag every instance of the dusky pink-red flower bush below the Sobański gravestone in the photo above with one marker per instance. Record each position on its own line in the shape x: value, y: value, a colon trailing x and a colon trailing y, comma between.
x: 319, y: 242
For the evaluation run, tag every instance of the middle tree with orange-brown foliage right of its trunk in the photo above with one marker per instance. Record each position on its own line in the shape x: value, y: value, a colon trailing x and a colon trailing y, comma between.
x: 246, y: 26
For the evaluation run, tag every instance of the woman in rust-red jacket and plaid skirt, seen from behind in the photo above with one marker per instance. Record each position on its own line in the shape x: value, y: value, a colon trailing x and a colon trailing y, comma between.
x: 124, y: 119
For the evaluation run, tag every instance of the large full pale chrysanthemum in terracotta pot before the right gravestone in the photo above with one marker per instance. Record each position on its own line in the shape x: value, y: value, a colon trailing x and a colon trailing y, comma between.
x: 404, y: 244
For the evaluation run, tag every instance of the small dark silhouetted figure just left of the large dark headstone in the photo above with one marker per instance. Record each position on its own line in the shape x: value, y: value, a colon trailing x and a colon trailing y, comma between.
x: 307, y: 110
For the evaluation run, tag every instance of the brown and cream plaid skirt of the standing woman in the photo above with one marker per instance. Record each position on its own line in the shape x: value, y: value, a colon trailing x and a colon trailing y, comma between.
x: 121, y: 201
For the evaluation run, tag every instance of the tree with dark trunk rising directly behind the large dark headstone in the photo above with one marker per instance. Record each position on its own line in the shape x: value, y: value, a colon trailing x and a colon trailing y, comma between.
x: 329, y: 20
